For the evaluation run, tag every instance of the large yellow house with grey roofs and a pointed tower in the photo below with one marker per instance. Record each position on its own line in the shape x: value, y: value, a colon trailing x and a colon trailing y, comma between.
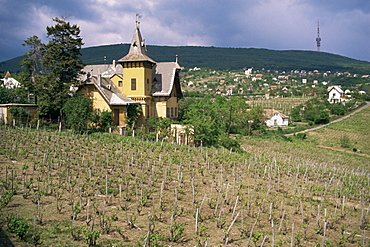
x: 135, y: 79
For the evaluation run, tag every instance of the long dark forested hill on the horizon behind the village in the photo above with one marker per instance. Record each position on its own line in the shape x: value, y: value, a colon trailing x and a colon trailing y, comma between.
x: 222, y: 58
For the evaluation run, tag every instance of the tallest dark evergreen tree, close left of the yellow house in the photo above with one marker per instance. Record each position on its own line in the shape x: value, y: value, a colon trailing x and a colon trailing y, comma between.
x: 63, y: 64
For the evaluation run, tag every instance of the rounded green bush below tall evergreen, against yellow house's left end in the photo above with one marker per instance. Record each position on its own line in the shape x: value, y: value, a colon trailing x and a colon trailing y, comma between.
x: 78, y: 111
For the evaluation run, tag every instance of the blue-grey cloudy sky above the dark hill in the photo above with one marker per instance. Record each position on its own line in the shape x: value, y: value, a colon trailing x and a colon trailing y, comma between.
x: 271, y: 24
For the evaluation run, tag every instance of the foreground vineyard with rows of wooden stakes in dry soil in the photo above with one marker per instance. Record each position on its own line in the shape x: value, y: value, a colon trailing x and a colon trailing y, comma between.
x: 63, y: 189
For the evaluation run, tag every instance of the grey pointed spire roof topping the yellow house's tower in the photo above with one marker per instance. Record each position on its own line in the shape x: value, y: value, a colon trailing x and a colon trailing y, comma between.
x: 137, y: 50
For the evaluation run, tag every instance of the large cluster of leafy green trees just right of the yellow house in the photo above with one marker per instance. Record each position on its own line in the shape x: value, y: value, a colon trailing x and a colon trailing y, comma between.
x: 213, y: 117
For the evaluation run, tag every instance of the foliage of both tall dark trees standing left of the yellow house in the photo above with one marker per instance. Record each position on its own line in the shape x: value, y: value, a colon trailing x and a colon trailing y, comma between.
x: 61, y: 60
